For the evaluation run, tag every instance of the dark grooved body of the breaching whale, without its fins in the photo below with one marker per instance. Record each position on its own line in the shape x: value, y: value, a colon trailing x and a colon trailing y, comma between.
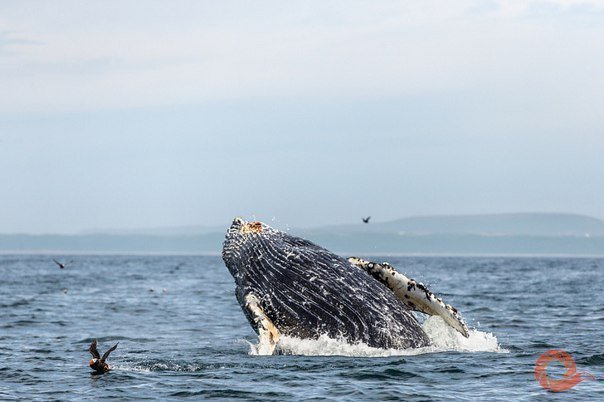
x: 306, y: 290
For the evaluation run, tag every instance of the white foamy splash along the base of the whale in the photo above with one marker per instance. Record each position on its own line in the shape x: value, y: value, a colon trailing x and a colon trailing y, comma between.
x: 443, y: 338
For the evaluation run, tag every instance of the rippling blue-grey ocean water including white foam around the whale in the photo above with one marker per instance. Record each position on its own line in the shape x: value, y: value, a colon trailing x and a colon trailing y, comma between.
x: 182, y: 334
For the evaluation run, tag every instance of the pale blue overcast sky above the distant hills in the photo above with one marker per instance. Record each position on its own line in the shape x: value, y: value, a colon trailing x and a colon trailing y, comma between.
x: 124, y: 114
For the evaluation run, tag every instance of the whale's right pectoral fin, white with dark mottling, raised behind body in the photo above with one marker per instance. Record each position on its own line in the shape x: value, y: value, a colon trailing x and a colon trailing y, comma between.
x: 413, y: 294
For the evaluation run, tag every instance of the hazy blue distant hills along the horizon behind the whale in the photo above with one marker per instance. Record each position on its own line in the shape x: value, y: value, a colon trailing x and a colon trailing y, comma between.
x: 523, y: 233
